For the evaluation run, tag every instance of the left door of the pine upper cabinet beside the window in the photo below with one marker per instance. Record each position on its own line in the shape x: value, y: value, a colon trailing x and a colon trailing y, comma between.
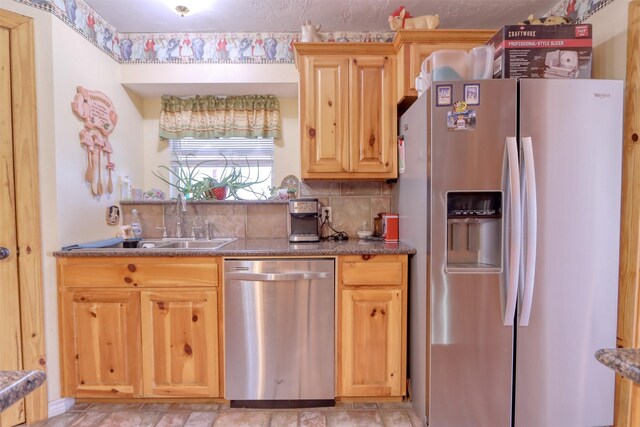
x: 324, y: 117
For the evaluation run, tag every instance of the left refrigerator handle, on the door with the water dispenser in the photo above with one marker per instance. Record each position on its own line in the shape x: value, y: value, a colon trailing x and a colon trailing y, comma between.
x: 515, y: 235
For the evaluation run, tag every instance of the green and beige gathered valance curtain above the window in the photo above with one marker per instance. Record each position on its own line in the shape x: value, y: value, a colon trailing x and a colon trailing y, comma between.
x: 206, y: 117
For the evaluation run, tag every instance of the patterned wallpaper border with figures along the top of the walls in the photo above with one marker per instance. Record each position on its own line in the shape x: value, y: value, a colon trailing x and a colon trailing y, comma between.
x: 222, y: 48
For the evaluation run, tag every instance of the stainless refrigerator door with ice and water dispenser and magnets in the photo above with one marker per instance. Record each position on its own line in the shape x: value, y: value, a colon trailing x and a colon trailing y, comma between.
x: 471, y: 351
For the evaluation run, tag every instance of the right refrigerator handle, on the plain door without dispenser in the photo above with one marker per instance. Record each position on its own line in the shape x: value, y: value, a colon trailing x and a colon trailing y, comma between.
x: 532, y: 229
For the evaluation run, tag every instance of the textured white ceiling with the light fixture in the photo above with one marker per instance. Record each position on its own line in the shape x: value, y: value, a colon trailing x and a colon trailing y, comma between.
x: 158, y: 16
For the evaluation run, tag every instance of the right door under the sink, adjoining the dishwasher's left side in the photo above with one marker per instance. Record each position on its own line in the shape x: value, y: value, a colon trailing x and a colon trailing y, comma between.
x: 180, y: 343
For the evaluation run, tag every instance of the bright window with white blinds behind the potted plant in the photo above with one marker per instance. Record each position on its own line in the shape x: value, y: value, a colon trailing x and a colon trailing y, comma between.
x: 208, y: 157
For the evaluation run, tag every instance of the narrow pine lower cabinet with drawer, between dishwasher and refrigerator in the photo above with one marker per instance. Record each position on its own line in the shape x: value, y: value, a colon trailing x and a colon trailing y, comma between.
x: 372, y: 319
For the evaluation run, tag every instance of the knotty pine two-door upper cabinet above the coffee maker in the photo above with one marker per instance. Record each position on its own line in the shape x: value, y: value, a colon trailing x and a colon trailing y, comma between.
x: 347, y: 110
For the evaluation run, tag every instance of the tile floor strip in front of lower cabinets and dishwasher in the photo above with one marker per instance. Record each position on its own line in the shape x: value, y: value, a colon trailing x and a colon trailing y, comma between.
x: 217, y: 415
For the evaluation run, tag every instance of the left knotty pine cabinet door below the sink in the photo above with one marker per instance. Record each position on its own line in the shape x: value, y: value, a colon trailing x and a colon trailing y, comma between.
x: 101, y: 343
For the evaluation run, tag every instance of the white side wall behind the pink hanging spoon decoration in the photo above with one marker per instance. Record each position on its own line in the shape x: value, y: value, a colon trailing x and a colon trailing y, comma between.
x: 82, y: 215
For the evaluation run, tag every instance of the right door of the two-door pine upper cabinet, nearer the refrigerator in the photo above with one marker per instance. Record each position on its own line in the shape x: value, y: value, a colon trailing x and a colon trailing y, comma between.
x: 373, y: 136
